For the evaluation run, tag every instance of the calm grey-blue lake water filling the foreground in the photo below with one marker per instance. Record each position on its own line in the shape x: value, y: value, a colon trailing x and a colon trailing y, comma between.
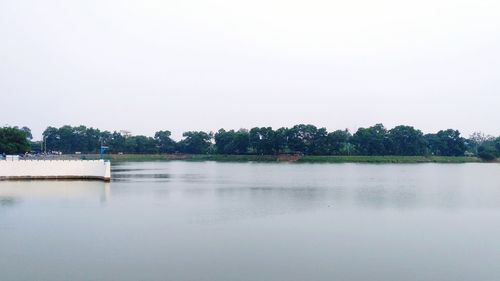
x: 225, y: 221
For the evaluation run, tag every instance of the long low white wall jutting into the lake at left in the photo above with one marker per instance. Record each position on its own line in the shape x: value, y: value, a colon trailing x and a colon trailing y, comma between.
x: 14, y: 169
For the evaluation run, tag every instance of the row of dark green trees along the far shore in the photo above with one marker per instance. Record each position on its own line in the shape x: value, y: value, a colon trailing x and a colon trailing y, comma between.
x: 300, y: 139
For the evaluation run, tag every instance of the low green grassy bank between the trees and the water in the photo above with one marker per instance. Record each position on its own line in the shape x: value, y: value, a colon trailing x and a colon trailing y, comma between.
x: 301, y: 159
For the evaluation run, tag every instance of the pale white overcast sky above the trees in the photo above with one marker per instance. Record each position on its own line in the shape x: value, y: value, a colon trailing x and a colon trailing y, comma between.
x: 147, y: 65
